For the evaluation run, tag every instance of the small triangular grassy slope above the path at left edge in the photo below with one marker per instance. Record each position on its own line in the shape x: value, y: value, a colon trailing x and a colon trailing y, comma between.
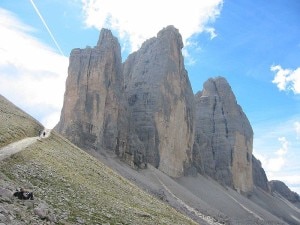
x: 15, y: 124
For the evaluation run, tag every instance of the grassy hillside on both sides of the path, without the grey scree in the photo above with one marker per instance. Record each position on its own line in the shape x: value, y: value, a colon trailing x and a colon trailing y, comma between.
x: 69, y: 185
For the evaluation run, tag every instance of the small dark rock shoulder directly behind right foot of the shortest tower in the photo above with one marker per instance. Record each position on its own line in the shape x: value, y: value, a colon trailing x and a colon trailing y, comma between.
x: 259, y: 176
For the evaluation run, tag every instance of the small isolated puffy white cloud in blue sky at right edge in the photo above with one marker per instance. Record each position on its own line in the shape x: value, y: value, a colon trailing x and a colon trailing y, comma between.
x: 287, y: 79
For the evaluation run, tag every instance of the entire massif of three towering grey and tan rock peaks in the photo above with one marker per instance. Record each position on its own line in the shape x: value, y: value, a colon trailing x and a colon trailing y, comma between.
x: 144, y: 111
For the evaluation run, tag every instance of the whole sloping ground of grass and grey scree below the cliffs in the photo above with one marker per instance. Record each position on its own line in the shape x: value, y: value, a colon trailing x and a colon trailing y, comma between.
x: 74, y: 187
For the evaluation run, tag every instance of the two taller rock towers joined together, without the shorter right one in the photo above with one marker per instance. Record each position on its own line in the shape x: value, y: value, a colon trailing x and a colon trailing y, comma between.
x: 158, y: 128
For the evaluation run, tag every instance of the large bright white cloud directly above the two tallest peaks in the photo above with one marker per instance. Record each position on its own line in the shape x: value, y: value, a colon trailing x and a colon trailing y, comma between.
x: 137, y: 21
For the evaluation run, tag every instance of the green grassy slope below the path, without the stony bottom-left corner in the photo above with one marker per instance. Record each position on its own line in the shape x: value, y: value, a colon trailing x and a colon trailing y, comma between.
x: 75, y: 184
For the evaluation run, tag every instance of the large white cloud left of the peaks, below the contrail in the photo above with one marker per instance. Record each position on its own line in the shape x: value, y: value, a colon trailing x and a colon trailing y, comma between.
x: 32, y: 75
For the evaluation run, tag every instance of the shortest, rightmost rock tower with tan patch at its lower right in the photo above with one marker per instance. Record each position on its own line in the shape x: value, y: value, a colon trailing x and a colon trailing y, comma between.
x: 223, y: 139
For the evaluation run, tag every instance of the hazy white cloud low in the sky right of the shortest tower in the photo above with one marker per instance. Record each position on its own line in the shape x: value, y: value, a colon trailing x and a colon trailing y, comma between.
x: 279, y: 156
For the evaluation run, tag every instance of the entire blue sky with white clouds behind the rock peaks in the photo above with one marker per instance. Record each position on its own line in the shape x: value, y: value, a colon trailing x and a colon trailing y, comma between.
x: 254, y: 44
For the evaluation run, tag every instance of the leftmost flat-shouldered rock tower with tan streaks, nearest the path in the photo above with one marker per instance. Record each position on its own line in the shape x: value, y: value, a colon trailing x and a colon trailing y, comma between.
x: 92, y: 111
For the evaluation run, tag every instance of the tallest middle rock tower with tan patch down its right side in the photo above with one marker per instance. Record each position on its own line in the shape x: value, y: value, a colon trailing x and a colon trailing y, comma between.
x: 160, y: 102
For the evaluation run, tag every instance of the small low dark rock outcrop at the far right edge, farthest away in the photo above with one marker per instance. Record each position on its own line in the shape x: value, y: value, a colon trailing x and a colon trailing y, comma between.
x: 284, y: 191
